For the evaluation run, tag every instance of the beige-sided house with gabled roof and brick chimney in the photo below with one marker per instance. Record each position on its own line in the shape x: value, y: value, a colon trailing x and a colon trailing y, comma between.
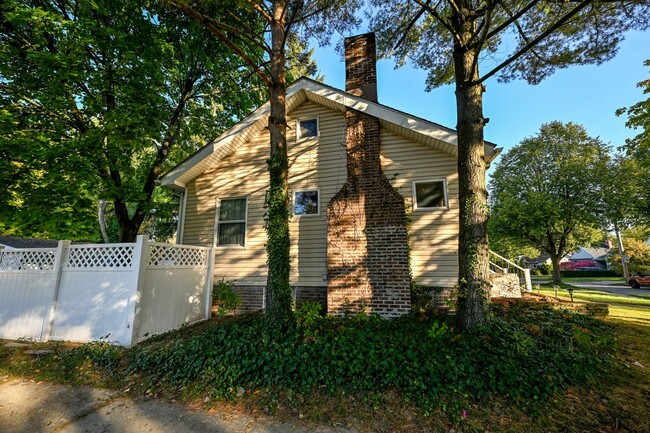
x: 369, y: 185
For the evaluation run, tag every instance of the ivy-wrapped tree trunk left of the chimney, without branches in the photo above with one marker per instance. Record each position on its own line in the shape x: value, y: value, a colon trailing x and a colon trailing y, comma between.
x: 278, y: 294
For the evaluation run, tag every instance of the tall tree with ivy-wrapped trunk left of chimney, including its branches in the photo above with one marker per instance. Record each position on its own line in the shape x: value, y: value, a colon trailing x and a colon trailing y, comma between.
x: 236, y: 24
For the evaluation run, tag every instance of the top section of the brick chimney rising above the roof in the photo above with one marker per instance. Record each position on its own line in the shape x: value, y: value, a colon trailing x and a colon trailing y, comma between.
x: 361, y: 66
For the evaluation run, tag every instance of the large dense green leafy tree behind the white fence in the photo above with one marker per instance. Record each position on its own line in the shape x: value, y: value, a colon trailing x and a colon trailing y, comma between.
x: 99, y: 98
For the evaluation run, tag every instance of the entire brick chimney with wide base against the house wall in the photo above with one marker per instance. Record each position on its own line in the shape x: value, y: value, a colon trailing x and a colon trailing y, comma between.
x: 367, y: 244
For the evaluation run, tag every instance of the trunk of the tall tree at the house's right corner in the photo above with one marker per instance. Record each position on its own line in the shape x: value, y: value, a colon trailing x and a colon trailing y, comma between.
x: 473, y: 260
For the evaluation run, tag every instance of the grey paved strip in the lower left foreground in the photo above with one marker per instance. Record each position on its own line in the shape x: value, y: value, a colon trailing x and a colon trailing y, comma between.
x: 29, y: 407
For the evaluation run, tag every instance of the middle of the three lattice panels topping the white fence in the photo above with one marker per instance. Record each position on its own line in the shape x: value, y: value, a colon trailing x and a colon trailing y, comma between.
x: 100, y: 257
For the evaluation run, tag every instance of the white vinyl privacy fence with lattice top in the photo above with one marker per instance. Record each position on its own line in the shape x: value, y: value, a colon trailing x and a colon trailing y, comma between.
x: 121, y: 292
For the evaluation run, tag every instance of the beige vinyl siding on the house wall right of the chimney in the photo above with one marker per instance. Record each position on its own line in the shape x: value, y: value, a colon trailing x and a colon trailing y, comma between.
x: 433, y: 234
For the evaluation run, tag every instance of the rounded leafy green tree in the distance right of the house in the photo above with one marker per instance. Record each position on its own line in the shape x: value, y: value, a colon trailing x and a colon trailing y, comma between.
x: 547, y: 191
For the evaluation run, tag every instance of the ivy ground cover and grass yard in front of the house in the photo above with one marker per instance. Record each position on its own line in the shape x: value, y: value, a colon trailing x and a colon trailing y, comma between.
x: 530, y: 371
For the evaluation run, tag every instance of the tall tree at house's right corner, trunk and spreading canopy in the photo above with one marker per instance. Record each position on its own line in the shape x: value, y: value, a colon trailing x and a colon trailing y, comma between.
x: 449, y: 38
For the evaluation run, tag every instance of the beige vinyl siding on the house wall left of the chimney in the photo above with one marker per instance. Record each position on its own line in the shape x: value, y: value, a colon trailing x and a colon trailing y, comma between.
x: 314, y: 164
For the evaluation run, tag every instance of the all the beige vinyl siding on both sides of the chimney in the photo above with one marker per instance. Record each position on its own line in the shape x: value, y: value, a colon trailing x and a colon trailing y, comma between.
x: 321, y: 164
